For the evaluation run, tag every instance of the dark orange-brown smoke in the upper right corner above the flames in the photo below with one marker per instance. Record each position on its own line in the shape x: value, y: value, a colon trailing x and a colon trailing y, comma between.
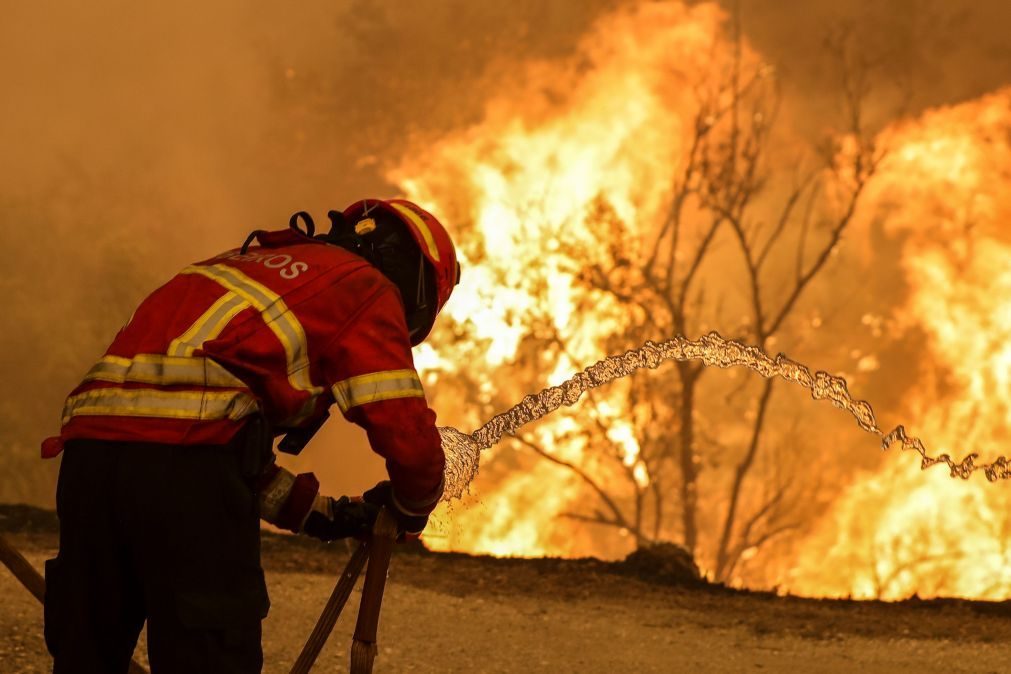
x: 922, y: 54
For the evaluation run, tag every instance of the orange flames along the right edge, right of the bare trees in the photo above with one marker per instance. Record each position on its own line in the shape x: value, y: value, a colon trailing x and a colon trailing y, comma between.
x: 899, y: 532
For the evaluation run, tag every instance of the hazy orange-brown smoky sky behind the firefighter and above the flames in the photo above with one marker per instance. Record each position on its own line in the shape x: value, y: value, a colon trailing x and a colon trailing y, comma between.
x: 138, y: 138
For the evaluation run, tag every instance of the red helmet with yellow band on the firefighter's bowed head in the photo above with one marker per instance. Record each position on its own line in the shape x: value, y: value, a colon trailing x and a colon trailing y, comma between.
x: 428, y: 233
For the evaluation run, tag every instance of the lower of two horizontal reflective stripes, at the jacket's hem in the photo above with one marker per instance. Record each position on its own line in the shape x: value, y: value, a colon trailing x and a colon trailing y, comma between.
x: 206, y: 406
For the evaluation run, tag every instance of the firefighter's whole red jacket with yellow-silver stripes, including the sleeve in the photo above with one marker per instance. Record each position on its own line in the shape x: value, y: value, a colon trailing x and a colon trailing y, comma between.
x: 288, y: 330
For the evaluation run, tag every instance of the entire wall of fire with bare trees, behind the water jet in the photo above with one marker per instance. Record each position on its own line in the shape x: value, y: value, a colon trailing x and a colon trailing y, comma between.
x: 654, y: 187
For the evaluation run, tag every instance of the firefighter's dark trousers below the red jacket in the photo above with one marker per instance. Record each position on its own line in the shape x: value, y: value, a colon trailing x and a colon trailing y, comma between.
x: 167, y: 534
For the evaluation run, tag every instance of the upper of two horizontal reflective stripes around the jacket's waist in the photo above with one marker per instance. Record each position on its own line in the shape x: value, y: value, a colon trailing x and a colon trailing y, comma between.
x: 163, y: 370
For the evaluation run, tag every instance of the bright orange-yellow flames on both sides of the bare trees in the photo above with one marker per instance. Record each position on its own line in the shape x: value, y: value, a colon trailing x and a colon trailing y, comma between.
x: 519, y: 188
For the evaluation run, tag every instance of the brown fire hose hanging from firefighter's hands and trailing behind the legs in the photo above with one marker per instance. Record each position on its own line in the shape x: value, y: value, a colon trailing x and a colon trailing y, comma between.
x: 378, y: 551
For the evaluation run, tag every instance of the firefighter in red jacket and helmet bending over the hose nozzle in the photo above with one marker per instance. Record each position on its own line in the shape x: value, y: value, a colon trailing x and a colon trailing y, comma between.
x: 167, y: 444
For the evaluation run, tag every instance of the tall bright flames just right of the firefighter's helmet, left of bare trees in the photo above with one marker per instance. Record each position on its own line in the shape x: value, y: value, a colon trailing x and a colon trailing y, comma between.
x: 521, y: 184
